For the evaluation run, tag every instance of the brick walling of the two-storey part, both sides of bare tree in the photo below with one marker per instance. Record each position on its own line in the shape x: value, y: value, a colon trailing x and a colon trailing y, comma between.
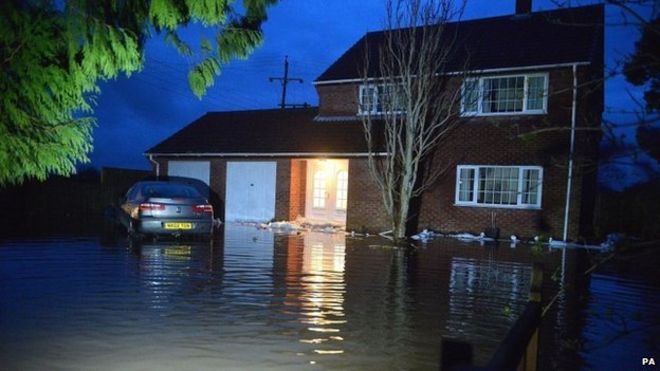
x: 494, y: 140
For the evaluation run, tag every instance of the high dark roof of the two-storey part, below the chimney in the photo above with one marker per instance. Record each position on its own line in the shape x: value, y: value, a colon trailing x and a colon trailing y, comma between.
x: 566, y: 35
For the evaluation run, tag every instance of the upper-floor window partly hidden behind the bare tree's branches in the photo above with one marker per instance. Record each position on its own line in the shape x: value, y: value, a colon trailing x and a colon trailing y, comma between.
x: 376, y: 99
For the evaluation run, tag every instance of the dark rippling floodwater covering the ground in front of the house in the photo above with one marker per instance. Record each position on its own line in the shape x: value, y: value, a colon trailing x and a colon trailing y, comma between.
x: 253, y: 299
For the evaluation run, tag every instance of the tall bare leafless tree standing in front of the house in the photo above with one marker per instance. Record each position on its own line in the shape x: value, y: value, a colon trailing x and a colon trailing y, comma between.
x: 407, y: 92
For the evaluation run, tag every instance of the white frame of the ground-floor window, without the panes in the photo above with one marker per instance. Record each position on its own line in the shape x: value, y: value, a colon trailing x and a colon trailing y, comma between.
x: 475, y: 190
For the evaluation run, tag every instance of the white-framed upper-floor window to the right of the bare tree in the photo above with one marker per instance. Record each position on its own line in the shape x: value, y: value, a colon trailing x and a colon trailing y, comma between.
x: 505, y: 95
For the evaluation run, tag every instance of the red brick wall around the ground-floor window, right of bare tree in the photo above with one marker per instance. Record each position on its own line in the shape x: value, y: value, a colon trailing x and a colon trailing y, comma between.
x: 498, y: 141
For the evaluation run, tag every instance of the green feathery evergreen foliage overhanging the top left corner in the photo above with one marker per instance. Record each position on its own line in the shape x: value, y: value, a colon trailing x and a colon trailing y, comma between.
x: 53, y: 56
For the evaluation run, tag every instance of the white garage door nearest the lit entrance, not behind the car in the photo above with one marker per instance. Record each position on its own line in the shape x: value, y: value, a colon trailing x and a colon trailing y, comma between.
x: 250, y: 191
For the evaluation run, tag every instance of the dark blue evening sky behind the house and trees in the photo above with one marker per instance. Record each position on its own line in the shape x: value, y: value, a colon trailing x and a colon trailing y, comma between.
x: 137, y: 113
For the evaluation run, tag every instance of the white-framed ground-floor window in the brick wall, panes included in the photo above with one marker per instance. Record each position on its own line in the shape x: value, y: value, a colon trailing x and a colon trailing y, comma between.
x: 499, y: 186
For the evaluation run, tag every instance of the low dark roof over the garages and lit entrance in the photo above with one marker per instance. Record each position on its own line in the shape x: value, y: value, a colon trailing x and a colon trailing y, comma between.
x: 267, y: 132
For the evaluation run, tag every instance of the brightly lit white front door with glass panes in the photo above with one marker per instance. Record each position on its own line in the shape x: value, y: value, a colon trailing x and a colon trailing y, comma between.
x: 327, y: 191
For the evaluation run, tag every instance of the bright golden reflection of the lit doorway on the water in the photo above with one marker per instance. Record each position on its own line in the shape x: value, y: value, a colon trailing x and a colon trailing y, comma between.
x: 314, y: 286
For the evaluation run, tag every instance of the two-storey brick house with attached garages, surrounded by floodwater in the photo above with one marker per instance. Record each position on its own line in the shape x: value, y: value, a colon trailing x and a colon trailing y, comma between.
x: 529, y: 72
